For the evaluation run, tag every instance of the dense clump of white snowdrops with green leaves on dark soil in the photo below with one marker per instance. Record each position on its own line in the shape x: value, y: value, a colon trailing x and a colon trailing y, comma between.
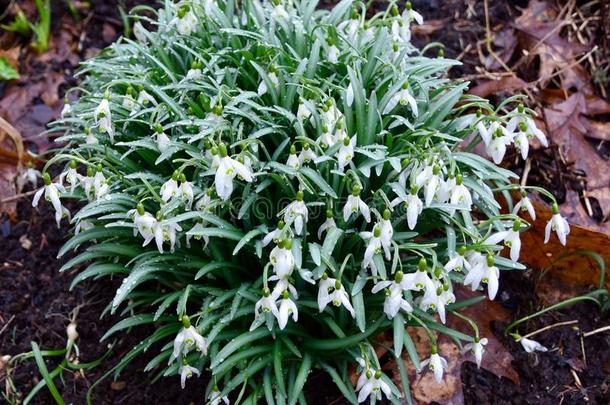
x: 275, y: 185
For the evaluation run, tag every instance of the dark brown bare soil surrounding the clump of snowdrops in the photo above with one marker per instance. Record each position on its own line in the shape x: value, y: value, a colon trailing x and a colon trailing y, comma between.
x: 35, y: 301
